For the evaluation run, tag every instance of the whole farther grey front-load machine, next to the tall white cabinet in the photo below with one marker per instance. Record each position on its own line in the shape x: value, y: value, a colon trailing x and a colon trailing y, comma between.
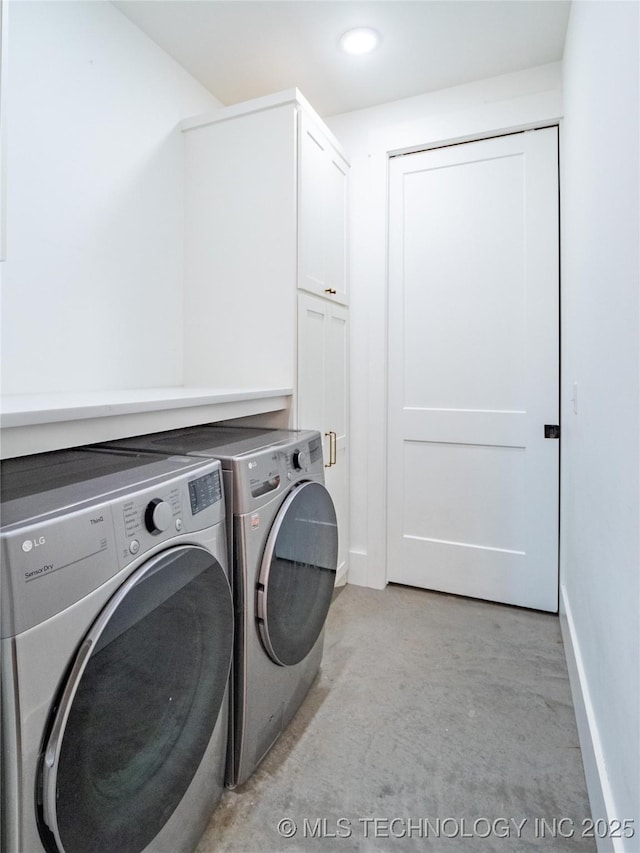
x: 283, y: 538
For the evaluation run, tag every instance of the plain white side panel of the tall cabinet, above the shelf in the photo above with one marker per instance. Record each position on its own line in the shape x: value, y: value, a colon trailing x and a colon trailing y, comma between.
x: 240, y: 248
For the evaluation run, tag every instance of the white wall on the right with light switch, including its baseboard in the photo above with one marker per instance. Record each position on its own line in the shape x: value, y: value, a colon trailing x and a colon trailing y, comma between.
x: 600, y: 491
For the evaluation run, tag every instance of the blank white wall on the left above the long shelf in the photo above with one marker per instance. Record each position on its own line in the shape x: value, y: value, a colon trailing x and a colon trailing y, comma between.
x: 92, y: 285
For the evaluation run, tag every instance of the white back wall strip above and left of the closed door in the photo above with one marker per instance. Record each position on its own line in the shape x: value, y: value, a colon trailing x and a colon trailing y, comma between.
x: 498, y: 105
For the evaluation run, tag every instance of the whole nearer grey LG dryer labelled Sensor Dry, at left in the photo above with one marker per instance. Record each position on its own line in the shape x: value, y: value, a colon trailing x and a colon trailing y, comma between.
x: 116, y: 642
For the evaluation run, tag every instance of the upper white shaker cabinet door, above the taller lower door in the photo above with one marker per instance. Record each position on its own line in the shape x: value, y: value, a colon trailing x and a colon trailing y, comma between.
x: 322, y: 205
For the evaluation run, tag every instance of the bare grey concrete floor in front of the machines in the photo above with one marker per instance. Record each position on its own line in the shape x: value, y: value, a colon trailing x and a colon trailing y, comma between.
x: 437, y: 724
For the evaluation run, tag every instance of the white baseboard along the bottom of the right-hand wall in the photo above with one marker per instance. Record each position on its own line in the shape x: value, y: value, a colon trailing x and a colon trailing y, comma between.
x: 601, y: 797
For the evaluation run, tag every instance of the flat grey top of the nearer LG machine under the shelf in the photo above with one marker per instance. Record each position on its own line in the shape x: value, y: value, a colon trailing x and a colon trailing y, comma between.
x: 34, y: 486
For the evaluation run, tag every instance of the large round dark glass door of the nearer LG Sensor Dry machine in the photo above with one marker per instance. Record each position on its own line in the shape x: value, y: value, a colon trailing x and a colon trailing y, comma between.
x: 139, y: 706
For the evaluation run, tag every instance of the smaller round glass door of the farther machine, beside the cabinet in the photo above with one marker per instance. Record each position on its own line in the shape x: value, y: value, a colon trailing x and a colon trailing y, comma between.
x: 298, y: 573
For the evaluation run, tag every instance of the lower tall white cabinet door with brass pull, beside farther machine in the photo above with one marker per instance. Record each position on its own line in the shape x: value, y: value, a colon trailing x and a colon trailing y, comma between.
x: 323, y: 399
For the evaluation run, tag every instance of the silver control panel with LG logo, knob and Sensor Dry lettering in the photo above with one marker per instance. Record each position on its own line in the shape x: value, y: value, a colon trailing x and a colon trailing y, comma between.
x: 65, y: 552
